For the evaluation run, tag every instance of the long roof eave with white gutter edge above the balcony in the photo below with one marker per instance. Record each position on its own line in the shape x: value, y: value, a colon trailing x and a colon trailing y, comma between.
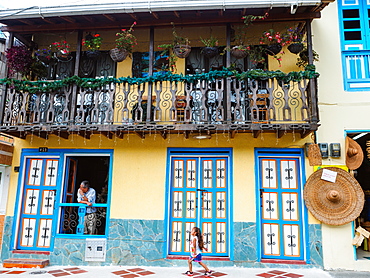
x: 153, y: 13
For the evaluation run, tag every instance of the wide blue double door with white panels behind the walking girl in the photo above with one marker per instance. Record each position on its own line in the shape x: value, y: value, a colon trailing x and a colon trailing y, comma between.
x: 199, y: 197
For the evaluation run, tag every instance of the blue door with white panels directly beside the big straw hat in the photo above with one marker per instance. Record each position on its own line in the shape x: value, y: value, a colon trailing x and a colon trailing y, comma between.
x: 281, y: 211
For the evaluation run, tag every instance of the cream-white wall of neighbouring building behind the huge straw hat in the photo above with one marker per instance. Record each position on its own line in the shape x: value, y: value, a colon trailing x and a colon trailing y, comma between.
x: 340, y: 111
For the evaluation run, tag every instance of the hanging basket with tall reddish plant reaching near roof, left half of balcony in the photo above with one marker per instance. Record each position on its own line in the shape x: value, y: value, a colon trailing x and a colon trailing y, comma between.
x: 125, y: 42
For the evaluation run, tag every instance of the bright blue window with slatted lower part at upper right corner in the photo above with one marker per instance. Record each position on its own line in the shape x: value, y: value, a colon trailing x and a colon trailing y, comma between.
x: 354, y: 18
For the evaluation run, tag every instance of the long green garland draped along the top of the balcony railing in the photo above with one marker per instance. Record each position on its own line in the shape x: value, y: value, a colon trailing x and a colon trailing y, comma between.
x: 95, y: 83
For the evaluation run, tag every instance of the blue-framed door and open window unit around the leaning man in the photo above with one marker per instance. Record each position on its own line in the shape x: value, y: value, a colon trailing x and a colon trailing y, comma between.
x: 47, y: 190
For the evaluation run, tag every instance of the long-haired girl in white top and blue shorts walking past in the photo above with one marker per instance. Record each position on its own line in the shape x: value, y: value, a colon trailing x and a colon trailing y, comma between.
x: 196, y: 246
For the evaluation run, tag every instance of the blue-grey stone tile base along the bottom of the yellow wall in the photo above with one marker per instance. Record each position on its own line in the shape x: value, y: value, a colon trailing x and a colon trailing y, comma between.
x: 142, y: 243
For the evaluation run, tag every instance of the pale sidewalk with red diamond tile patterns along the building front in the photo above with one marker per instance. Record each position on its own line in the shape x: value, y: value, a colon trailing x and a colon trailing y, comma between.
x: 163, y: 272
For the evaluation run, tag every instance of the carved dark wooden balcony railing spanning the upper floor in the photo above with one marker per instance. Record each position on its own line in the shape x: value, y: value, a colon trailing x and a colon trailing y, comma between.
x: 223, y: 104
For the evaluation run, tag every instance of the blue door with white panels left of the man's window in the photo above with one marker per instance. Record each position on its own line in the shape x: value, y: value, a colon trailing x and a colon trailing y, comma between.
x: 38, y: 201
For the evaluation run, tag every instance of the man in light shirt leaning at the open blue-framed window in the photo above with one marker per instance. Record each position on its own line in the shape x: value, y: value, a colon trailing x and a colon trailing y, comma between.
x: 86, y: 195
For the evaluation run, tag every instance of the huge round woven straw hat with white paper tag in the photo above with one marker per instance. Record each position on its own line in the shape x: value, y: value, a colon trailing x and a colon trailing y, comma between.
x: 334, y: 203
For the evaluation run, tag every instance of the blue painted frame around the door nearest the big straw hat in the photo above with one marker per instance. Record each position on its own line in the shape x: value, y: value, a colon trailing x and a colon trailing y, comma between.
x: 275, y: 152
